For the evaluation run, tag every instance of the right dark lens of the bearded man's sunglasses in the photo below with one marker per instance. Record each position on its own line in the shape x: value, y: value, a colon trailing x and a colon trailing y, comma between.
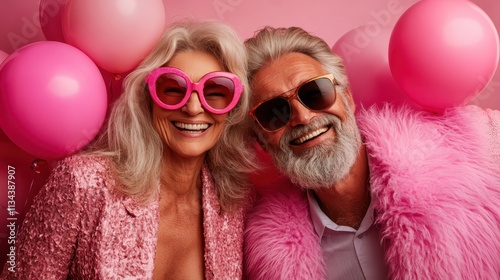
x: 318, y: 94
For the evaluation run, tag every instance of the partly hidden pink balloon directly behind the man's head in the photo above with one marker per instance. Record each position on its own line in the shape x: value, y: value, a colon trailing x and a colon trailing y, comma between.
x: 365, y: 53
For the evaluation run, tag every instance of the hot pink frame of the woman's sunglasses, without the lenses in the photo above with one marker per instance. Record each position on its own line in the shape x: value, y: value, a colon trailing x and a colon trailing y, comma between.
x: 191, y: 86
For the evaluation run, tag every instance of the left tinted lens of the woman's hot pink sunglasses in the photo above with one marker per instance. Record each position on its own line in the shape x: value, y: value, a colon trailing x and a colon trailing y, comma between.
x: 171, y: 88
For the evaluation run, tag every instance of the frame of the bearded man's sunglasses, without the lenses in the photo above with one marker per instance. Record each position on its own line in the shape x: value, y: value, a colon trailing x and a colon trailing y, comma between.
x: 294, y: 95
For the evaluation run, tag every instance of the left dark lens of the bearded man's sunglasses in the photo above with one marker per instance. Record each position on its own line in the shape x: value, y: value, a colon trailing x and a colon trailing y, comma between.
x: 273, y: 114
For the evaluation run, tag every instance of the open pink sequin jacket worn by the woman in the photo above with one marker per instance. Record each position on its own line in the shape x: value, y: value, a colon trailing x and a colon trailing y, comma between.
x: 80, y: 227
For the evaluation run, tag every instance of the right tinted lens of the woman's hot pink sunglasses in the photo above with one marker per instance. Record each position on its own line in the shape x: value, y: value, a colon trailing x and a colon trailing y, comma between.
x: 218, y: 92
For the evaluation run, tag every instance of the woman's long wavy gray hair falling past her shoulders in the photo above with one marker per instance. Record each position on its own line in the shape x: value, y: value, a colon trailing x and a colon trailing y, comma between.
x: 134, y: 145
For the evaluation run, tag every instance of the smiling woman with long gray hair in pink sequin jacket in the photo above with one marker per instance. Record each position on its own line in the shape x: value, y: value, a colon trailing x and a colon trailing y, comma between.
x: 161, y: 193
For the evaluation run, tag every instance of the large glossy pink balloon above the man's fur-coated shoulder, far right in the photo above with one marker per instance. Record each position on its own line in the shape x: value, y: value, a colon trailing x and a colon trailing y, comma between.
x: 443, y: 53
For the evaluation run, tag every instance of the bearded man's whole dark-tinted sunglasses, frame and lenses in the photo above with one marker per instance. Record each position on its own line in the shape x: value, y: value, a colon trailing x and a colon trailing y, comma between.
x: 316, y: 94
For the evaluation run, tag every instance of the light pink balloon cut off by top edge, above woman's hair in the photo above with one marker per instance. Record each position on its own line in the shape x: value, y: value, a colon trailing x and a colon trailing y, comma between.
x: 116, y: 34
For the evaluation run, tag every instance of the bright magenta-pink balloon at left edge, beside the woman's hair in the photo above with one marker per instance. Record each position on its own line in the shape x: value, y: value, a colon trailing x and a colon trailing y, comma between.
x: 52, y: 99
